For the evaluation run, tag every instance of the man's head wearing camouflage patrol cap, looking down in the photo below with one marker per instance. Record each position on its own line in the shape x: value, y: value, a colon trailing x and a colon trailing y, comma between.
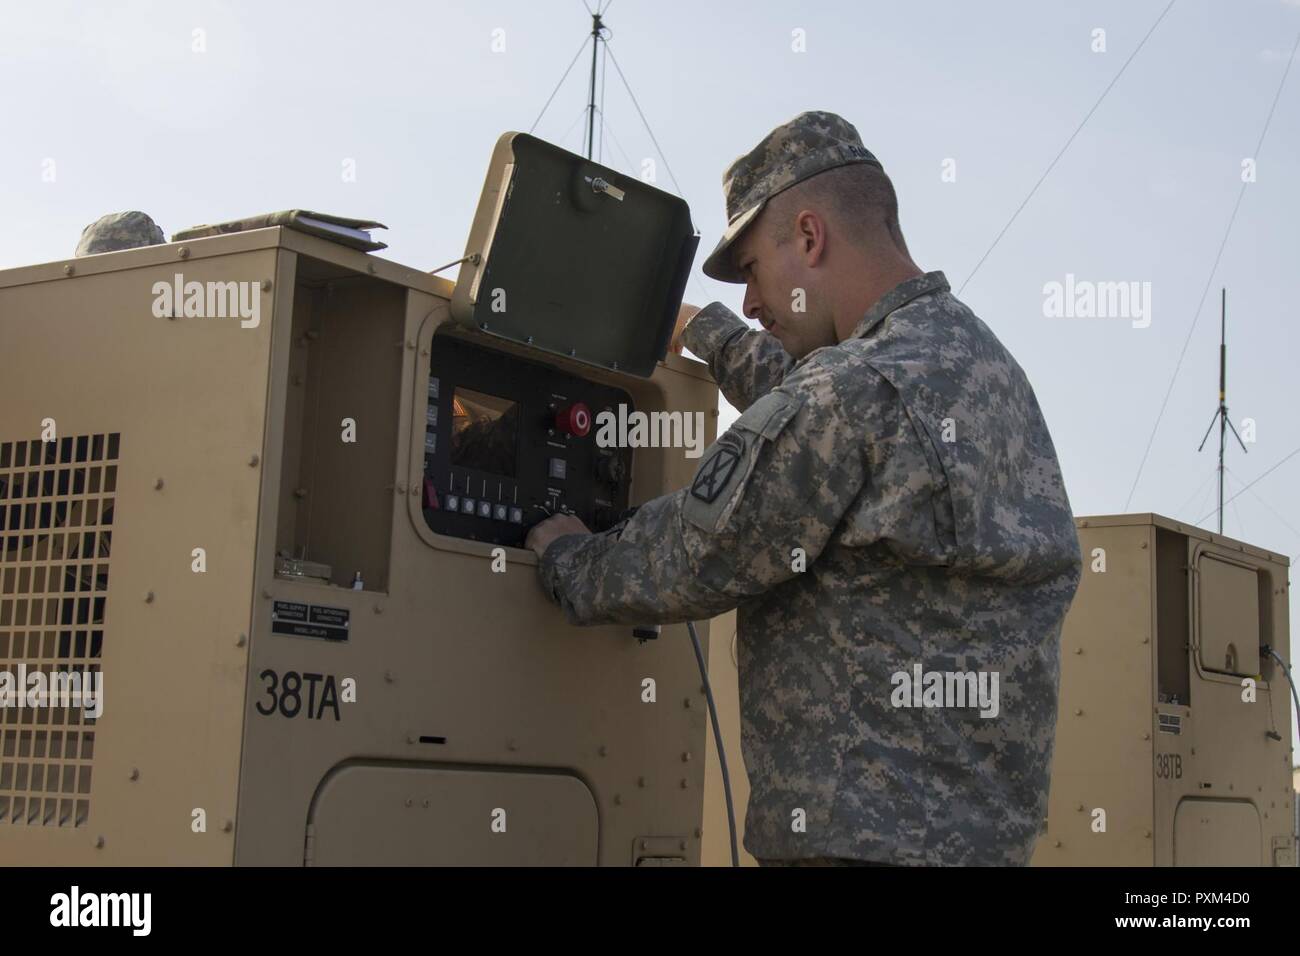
x: 811, y: 213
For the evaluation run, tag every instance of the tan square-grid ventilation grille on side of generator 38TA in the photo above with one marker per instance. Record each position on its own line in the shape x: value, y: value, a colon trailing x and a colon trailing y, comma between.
x: 57, y: 517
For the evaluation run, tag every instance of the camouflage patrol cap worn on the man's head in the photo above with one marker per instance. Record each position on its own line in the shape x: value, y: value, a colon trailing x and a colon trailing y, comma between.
x: 808, y: 145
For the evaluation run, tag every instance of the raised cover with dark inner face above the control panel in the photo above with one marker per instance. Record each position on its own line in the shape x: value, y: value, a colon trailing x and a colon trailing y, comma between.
x: 574, y: 258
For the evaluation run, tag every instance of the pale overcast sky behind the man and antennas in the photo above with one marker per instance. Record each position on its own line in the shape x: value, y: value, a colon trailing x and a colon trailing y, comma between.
x: 125, y: 106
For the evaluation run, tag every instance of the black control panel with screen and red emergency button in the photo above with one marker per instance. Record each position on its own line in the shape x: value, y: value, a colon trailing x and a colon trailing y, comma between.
x: 509, y: 443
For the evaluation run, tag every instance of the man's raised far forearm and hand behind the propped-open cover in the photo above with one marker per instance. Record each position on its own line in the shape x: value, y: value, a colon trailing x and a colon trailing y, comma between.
x: 747, y: 364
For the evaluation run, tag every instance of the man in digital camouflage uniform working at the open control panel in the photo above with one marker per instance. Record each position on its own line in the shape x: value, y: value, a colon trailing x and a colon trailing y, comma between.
x: 889, y: 507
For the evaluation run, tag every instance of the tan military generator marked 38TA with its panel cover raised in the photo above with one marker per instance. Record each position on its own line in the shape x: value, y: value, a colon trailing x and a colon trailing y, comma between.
x: 276, y: 495
